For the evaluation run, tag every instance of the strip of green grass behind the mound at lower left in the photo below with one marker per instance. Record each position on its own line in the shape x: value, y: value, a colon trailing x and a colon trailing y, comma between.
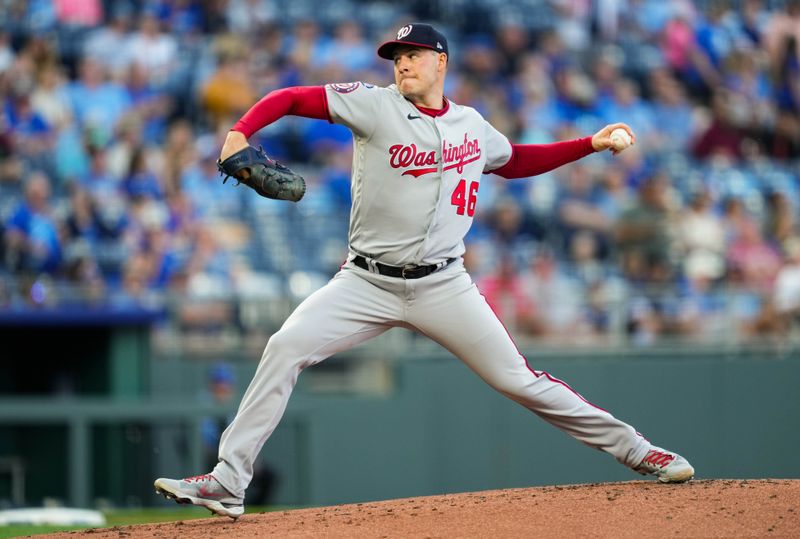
x: 126, y: 517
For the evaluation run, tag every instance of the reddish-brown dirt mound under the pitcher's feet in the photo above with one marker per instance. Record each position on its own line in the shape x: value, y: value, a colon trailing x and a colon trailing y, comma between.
x: 714, y: 508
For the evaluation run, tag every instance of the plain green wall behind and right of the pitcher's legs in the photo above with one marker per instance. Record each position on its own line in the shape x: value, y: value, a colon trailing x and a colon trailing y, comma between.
x: 444, y: 430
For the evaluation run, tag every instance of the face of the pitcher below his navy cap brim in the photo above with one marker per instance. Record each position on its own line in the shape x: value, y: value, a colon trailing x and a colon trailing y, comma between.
x: 417, y: 70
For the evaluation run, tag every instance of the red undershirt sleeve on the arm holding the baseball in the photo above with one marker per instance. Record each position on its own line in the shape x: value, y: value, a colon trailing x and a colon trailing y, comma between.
x: 532, y: 159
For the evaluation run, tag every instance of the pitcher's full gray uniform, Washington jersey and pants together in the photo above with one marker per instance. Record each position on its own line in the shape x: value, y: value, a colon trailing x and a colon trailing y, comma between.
x: 415, y: 182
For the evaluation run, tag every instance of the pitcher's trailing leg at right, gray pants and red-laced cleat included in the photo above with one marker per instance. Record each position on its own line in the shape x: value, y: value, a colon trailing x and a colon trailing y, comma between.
x: 450, y: 309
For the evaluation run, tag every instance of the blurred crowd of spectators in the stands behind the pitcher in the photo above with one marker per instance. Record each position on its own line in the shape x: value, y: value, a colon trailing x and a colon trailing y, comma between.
x: 113, y: 113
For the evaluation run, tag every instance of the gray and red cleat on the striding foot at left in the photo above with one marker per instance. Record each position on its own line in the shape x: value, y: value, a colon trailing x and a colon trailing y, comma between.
x: 202, y: 490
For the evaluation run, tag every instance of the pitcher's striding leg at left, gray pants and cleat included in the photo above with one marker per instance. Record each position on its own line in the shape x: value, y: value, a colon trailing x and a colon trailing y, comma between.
x: 347, y: 311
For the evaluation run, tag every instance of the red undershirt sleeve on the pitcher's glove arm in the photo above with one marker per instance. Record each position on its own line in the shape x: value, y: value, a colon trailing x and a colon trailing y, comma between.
x: 305, y: 101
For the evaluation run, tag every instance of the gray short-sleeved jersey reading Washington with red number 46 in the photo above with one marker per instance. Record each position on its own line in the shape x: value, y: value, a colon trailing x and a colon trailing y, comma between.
x: 415, y: 176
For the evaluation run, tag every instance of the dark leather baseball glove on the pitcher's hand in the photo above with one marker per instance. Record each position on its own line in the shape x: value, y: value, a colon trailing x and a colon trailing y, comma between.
x: 265, y: 176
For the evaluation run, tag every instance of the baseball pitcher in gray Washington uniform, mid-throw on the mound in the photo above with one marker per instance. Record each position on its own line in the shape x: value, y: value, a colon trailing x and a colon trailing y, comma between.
x: 418, y: 163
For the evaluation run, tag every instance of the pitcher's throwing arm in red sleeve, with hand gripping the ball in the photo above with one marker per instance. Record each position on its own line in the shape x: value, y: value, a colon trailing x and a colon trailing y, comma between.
x: 532, y: 159
